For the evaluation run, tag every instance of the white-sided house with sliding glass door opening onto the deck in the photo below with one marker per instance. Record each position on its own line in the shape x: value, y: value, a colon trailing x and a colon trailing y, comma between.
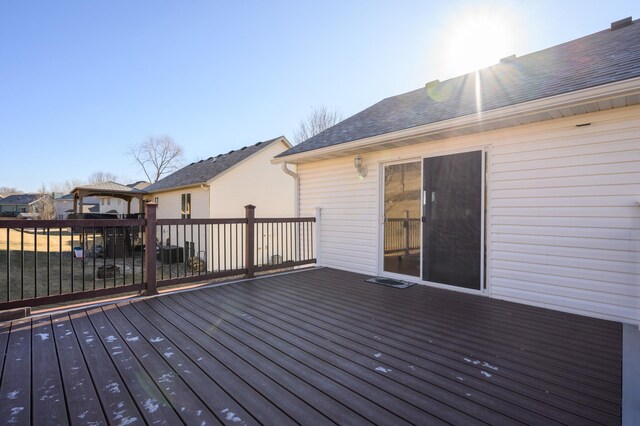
x: 520, y: 181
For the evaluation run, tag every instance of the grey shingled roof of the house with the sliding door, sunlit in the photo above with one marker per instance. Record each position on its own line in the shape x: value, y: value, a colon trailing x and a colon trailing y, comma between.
x: 604, y: 57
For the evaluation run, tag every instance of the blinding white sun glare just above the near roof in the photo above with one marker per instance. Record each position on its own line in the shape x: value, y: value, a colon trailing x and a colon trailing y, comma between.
x: 477, y: 39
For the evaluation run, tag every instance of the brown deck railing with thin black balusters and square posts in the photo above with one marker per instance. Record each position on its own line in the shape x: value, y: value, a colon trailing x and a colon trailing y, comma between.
x: 55, y: 261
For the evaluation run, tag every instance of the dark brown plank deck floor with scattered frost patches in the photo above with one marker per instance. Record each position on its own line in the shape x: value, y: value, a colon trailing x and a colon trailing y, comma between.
x: 315, y: 347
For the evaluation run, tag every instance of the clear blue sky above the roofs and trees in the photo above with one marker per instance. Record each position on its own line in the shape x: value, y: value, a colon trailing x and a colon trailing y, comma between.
x: 83, y: 81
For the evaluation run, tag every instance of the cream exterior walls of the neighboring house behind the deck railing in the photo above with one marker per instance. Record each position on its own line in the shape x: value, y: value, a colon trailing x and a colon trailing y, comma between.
x: 255, y: 181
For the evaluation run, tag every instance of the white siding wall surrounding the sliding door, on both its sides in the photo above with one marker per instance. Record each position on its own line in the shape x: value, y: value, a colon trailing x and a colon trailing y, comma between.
x: 563, y: 214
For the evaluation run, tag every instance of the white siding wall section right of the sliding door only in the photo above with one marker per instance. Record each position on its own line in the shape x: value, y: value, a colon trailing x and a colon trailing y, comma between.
x: 565, y: 219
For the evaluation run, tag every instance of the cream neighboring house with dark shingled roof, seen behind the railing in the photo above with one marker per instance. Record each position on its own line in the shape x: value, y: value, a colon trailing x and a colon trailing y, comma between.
x: 220, y: 187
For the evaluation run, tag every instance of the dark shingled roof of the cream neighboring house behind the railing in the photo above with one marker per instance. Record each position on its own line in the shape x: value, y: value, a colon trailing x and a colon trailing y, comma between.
x: 202, y: 171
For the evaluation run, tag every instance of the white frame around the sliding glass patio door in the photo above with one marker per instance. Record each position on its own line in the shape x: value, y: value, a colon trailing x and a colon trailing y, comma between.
x: 484, y: 249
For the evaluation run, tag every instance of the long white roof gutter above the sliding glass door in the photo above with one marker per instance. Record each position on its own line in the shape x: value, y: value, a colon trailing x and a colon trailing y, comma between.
x: 593, y: 94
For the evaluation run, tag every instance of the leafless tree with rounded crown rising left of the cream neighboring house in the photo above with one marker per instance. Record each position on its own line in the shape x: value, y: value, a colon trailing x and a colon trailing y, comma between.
x: 158, y: 156
